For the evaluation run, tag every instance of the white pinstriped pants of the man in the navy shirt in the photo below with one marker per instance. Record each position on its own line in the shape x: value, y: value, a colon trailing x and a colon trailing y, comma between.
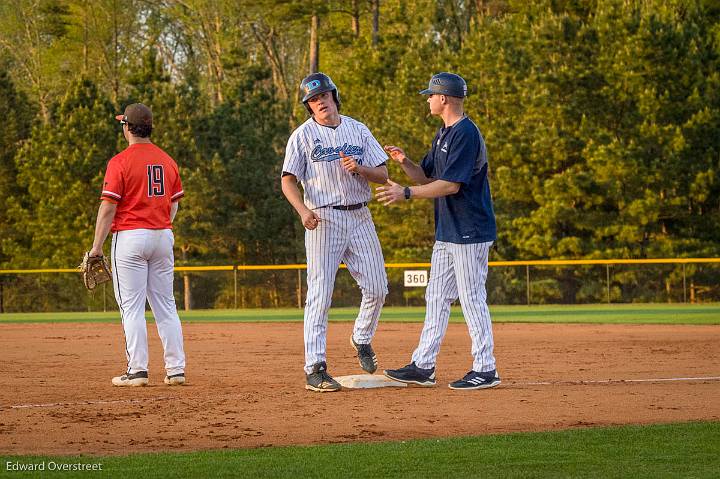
x: 457, y: 271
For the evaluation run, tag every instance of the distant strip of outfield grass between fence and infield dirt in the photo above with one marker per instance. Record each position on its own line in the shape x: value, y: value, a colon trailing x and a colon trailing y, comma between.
x: 592, y: 313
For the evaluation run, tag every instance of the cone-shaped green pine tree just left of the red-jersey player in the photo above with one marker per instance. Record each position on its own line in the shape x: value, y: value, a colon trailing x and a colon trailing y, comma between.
x: 61, y: 168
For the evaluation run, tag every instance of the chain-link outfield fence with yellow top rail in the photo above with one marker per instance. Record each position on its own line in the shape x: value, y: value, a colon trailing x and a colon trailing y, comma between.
x: 674, y: 280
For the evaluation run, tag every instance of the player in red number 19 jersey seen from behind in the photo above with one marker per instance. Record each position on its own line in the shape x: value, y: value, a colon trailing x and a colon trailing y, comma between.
x: 140, y: 197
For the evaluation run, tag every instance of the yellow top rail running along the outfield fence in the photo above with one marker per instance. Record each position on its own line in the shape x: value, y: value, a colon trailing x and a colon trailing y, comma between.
x: 266, y: 267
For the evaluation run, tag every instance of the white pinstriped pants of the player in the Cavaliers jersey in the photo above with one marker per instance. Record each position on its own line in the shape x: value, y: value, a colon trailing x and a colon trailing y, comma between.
x: 350, y: 237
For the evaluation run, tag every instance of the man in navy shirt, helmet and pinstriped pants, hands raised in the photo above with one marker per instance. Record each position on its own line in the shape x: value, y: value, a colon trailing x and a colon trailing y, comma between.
x: 454, y: 174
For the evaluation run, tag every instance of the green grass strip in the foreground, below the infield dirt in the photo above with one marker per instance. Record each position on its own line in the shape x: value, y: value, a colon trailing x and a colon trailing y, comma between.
x: 658, y: 451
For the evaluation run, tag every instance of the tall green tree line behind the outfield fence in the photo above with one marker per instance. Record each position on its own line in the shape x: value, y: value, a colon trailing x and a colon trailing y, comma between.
x: 601, y: 120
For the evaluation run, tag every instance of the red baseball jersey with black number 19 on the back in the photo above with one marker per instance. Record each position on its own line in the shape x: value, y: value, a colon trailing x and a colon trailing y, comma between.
x: 144, y: 181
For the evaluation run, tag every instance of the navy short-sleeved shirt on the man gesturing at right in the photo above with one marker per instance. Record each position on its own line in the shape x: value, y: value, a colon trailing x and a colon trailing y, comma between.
x: 458, y: 154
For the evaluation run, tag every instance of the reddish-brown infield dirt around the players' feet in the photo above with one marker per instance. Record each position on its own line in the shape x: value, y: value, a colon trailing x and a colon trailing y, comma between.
x: 246, y: 386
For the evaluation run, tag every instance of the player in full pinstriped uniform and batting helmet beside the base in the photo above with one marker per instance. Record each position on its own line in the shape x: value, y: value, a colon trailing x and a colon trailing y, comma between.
x: 334, y: 157
